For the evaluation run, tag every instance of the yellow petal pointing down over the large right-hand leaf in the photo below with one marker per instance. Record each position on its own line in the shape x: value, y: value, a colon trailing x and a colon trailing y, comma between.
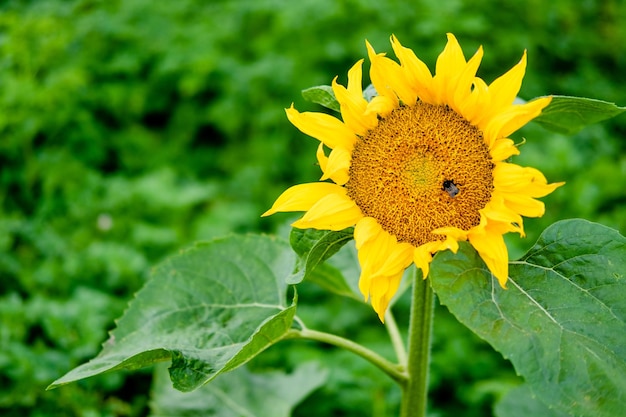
x: 492, y: 249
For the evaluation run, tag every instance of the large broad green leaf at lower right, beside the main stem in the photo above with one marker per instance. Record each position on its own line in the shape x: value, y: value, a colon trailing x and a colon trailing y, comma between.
x: 562, y: 319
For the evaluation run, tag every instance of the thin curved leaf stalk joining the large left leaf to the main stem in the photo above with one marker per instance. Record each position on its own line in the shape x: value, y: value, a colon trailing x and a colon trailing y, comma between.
x: 394, y: 371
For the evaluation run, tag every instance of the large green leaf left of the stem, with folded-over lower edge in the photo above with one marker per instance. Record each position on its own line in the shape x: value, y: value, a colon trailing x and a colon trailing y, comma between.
x: 210, y: 309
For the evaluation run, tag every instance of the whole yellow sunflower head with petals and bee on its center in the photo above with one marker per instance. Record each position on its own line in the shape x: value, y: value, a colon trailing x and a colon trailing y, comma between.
x: 421, y: 166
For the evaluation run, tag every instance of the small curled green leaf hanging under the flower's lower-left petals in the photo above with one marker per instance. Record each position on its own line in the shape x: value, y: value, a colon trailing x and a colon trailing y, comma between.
x: 313, y: 247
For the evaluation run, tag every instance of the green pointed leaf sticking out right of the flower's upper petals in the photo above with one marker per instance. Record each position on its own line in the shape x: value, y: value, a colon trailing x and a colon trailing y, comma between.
x: 568, y: 115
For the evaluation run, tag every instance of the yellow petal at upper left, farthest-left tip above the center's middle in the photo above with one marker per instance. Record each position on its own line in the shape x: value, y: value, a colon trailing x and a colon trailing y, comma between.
x: 323, y: 127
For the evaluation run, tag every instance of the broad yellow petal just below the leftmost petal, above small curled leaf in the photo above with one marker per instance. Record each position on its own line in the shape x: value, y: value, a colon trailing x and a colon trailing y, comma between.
x: 332, y: 212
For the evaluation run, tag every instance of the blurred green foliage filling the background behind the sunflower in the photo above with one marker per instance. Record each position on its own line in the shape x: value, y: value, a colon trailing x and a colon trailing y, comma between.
x: 130, y: 129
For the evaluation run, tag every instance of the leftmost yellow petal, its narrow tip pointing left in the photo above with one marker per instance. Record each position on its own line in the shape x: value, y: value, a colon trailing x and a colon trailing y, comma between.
x: 302, y: 197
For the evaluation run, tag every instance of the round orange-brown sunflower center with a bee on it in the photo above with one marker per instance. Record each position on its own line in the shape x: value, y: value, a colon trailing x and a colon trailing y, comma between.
x: 423, y: 167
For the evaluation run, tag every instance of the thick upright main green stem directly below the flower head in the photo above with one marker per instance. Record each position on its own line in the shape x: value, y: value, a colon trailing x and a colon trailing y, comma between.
x: 415, y: 392
